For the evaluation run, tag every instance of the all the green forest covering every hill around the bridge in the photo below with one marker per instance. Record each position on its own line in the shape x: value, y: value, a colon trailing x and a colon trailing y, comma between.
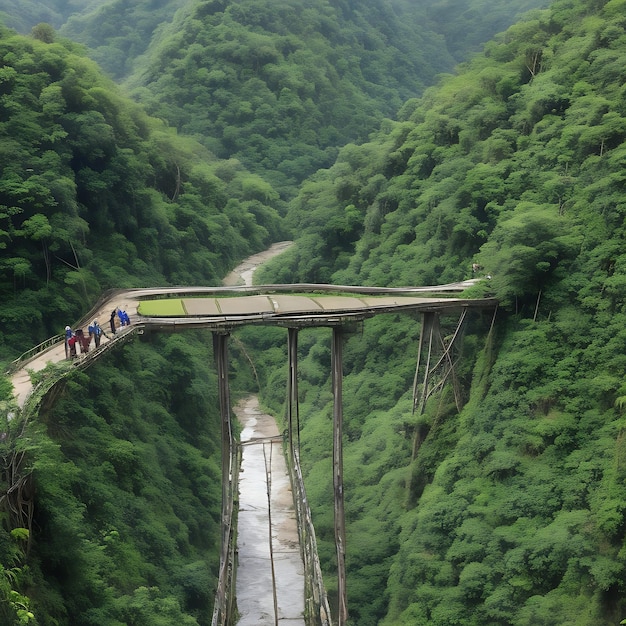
x: 164, y: 152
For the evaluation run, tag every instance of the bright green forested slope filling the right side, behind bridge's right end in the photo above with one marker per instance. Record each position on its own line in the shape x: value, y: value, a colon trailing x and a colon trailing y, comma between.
x: 512, y: 511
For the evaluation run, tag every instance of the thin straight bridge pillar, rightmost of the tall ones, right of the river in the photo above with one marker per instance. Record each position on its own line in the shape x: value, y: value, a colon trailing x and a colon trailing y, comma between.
x: 340, y: 519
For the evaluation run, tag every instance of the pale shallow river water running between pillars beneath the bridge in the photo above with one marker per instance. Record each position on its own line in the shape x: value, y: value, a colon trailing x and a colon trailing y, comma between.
x: 270, y: 574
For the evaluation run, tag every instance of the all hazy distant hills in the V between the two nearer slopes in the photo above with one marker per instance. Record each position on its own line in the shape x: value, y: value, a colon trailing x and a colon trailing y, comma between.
x: 277, y: 87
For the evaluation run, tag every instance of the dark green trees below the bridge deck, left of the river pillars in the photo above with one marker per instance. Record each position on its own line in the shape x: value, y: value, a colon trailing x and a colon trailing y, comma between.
x: 128, y: 507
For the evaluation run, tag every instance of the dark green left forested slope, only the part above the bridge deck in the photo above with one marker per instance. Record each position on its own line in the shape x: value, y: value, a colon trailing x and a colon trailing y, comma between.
x: 95, y: 194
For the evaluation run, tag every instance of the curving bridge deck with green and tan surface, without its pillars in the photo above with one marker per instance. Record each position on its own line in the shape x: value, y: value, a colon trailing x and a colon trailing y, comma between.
x: 225, y: 308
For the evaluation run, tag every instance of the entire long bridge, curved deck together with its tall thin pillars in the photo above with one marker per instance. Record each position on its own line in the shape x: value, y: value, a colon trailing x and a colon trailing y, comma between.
x: 293, y: 307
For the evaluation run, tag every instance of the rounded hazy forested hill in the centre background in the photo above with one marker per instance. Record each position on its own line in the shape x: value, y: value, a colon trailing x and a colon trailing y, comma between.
x: 280, y: 86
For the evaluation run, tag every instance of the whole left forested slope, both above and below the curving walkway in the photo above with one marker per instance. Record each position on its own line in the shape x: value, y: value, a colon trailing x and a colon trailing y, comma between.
x: 110, y: 496
